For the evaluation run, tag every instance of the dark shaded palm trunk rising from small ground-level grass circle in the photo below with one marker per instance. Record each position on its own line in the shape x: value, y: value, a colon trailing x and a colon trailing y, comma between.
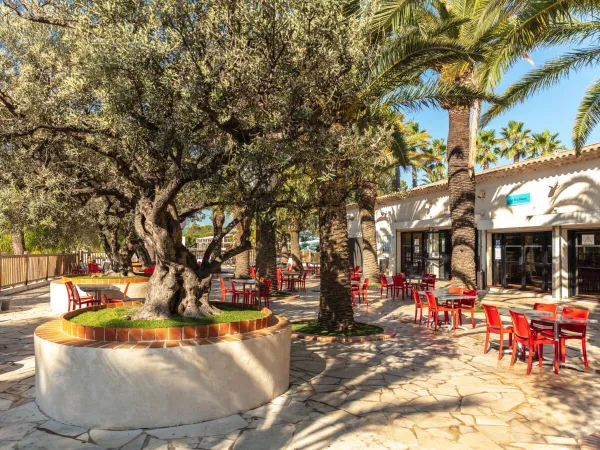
x: 335, y: 303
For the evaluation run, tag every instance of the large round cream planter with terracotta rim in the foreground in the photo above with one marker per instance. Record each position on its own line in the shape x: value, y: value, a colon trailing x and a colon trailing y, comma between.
x: 185, y: 376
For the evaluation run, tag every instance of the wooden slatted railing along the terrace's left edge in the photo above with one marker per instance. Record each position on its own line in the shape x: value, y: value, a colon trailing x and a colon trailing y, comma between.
x: 21, y: 270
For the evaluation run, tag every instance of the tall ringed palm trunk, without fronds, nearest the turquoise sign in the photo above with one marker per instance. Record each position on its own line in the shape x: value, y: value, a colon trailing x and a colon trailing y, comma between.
x: 461, y: 183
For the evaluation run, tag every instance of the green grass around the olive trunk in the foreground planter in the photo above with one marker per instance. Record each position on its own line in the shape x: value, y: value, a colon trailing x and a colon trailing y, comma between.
x: 113, y: 318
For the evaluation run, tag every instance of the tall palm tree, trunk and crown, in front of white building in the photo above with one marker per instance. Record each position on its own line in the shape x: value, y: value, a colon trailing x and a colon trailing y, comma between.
x: 476, y: 26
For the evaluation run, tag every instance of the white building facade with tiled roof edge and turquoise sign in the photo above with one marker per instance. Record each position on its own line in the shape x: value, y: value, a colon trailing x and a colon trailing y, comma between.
x: 538, y: 226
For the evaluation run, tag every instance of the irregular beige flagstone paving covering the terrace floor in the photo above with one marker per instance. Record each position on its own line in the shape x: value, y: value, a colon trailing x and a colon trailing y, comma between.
x: 421, y: 389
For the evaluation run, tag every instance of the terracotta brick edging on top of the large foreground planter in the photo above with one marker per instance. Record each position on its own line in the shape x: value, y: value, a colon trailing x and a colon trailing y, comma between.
x: 65, y: 332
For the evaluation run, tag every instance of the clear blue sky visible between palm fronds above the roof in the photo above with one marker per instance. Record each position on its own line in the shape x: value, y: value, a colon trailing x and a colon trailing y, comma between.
x: 554, y: 109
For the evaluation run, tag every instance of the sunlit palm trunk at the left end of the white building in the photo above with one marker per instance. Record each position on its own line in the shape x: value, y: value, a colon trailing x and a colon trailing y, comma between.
x: 367, y: 196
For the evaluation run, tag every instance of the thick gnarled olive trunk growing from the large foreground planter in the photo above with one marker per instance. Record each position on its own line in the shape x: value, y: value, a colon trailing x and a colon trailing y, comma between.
x: 179, y: 285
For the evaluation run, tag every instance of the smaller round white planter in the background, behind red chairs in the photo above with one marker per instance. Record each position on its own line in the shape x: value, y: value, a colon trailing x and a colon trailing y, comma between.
x: 59, y: 301
